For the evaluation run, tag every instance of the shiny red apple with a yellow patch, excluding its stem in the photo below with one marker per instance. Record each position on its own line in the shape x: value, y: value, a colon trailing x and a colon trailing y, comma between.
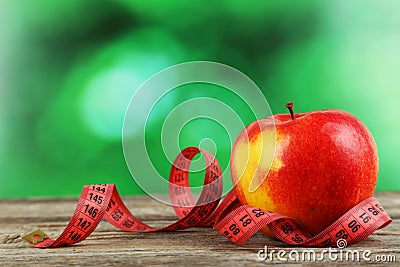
x: 324, y: 163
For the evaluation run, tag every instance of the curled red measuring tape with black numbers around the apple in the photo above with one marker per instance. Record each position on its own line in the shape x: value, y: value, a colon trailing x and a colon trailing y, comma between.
x: 235, y: 221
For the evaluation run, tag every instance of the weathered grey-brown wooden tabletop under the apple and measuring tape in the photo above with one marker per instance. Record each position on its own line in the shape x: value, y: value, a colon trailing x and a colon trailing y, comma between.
x: 197, y: 246
